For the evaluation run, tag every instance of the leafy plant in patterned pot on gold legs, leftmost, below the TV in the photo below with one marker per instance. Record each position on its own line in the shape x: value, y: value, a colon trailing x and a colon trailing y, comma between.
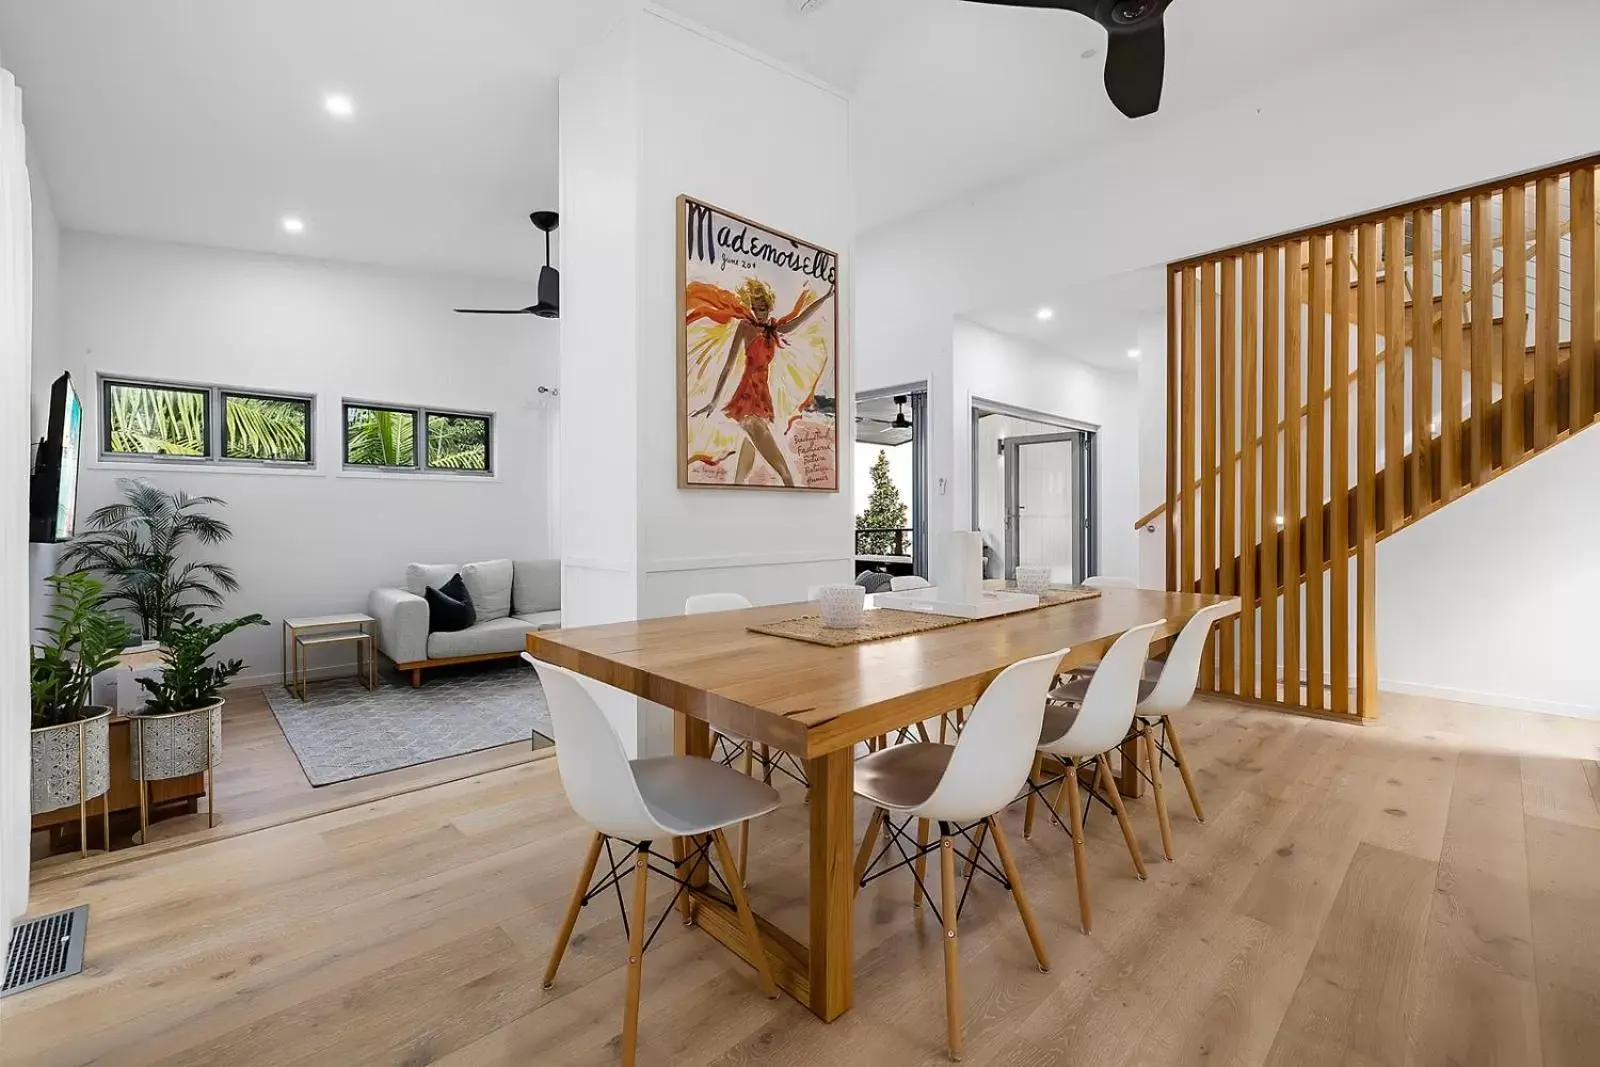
x: 71, y: 738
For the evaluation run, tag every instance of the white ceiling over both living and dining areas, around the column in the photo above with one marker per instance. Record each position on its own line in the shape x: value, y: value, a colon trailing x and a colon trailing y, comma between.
x: 202, y: 122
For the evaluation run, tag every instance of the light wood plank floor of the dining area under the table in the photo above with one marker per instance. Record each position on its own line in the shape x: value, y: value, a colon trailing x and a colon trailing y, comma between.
x: 1420, y: 892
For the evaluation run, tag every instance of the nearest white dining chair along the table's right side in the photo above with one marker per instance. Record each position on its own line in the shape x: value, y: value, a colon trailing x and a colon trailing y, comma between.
x: 961, y: 788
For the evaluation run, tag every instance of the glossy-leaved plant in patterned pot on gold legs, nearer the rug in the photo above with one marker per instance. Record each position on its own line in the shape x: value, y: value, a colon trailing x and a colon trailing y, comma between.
x: 180, y: 730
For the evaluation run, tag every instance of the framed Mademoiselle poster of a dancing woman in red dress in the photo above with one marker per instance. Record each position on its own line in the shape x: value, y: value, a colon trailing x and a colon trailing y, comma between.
x: 758, y: 356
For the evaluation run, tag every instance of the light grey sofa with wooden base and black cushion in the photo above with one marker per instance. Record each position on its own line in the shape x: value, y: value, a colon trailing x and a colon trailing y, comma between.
x: 513, y: 599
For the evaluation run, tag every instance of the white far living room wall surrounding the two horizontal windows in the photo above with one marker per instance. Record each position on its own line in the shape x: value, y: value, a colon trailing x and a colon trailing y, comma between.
x: 310, y: 543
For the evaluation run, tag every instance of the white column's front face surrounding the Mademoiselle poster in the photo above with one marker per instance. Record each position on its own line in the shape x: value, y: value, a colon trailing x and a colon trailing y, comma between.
x: 766, y: 545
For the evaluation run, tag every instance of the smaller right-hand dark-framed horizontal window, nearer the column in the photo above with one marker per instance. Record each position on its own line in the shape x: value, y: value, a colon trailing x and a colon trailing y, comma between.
x: 394, y: 438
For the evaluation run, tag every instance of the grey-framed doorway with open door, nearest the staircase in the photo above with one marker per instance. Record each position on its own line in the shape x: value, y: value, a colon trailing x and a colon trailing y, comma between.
x: 1034, y: 492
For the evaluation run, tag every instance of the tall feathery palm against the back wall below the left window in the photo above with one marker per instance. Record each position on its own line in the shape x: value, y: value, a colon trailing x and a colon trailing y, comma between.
x: 138, y: 545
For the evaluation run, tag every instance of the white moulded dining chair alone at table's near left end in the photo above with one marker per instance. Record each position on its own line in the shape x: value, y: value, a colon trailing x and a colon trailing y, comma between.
x: 639, y: 804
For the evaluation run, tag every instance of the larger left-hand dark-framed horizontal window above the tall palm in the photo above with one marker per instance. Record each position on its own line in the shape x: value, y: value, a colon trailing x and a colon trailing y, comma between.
x: 188, y: 423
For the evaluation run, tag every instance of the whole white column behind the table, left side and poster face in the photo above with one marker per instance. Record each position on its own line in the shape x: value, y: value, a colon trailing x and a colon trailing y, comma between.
x: 666, y: 108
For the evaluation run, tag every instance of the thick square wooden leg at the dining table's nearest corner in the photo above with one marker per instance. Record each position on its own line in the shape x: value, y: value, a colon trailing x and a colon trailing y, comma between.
x: 833, y: 898
